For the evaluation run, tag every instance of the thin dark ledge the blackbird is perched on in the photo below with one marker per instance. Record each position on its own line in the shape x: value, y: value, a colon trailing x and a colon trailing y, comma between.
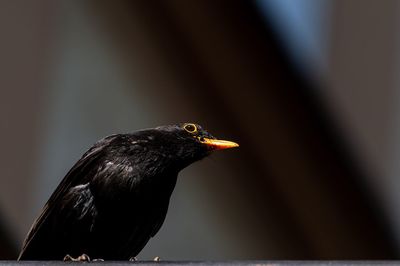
x: 211, y: 263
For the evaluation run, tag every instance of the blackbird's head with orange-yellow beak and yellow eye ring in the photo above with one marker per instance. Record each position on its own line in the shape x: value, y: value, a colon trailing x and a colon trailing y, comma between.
x: 186, y: 143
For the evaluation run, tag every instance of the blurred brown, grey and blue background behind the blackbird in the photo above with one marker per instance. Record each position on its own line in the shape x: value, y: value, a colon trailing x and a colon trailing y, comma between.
x: 309, y: 88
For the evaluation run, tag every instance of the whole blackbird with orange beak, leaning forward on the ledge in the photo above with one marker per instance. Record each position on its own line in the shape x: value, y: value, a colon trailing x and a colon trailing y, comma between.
x: 116, y: 196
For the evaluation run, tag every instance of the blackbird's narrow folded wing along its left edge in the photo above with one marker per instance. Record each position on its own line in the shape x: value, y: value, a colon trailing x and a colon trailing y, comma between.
x: 74, y: 177
